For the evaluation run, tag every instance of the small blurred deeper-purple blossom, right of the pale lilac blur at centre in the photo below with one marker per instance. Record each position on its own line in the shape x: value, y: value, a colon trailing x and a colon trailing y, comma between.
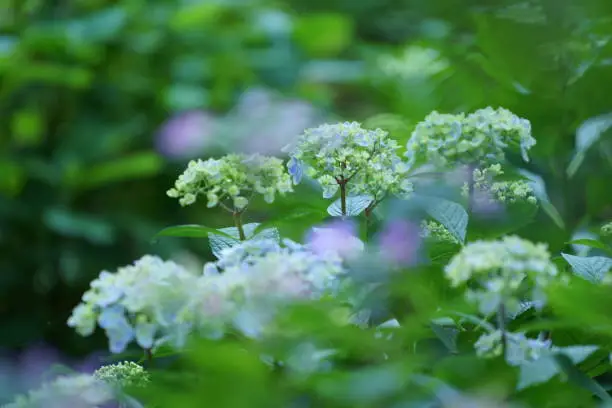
x: 399, y: 242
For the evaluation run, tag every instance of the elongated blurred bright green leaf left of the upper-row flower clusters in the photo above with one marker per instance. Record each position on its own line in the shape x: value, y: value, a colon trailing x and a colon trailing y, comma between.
x: 136, y: 166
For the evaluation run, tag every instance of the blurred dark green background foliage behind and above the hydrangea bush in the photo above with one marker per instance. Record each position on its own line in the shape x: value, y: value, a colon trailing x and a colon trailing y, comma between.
x: 85, y: 84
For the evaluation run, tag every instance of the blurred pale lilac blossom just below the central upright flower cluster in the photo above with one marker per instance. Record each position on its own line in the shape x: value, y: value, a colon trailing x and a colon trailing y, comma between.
x: 337, y: 236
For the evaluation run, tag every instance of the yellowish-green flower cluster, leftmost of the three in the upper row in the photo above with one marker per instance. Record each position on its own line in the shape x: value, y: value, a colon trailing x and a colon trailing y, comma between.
x: 231, y: 180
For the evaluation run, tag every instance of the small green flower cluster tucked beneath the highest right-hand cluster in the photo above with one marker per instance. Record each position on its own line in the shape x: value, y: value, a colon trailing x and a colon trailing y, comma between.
x: 500, y: 191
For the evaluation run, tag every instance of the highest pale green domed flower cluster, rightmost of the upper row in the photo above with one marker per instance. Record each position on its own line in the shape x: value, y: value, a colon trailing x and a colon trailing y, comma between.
x: 478, y: 138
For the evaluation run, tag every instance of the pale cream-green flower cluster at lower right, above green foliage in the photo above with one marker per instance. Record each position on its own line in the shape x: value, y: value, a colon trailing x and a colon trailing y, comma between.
x: 498, y: 268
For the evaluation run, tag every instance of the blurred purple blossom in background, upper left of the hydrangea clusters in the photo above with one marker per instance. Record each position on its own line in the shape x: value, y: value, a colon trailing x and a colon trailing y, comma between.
x: 186, y: 135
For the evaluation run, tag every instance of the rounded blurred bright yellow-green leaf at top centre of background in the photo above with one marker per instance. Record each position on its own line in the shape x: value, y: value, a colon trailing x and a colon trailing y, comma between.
x: 323, y: 35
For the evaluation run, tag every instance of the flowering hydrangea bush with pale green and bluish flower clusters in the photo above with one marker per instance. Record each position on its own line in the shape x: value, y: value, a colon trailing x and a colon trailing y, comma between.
x: 337, y: 320
